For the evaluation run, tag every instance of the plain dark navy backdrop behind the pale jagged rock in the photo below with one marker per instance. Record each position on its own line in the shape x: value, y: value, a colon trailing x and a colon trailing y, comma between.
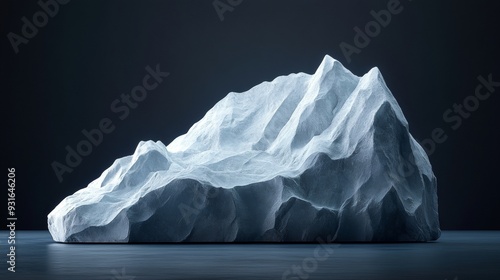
x: 66, y: 77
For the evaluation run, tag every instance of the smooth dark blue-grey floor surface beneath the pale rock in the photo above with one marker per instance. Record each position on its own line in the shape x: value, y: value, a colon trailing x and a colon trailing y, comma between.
x: 456, y: 255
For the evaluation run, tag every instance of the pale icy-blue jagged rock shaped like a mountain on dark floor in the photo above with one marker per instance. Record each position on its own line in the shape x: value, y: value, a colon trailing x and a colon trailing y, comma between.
x: 327, y: 155
